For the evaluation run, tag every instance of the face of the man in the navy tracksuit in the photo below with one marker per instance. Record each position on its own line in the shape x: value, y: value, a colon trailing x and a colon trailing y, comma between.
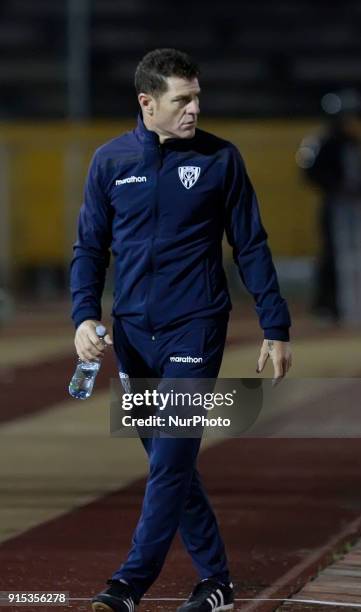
x: 175, y: 112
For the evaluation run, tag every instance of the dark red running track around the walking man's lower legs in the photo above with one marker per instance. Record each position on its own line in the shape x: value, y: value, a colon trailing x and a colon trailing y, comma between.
x: 277, y: 501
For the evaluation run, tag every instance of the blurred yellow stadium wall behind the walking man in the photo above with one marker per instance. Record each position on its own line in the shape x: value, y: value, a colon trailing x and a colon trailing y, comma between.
x: 47, y: 163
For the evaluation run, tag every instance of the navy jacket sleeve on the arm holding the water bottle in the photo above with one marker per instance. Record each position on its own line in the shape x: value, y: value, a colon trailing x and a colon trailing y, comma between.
x: 91, y: 253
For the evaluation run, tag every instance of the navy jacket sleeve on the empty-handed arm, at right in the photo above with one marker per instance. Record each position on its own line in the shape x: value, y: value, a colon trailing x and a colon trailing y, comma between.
x: 251, y: 254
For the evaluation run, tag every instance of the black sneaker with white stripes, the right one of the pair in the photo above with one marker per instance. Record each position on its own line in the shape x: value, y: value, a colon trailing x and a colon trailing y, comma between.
x: 209, y: 596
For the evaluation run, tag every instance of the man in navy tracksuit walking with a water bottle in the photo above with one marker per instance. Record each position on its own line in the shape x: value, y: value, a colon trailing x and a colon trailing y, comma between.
x: 161, y: 197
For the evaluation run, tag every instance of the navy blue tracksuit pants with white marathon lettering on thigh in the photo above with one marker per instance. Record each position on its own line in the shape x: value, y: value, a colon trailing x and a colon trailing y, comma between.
x: 174, y: 496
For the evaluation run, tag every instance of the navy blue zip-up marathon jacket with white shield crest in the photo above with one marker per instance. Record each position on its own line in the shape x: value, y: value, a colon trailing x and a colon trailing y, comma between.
x: 162, y: 210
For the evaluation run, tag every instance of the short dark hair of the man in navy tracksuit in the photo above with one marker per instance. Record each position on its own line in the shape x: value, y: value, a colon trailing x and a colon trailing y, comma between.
x: 157, y: 65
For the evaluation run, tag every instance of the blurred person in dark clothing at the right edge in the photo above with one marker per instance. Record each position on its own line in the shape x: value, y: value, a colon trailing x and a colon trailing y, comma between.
x: 332, y: 162
